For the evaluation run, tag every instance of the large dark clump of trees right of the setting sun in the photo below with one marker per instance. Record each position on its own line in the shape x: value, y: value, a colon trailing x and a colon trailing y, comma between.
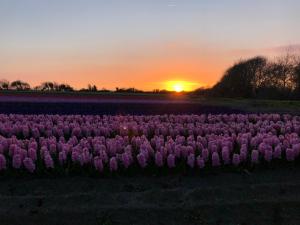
x: 259, y: 77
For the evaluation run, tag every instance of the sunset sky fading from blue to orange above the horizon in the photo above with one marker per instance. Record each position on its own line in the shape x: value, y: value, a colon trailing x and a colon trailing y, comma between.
x: 137, y: 43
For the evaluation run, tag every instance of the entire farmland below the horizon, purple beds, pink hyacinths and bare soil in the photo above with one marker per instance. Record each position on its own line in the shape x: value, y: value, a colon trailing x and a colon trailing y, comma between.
x: 218, y: 162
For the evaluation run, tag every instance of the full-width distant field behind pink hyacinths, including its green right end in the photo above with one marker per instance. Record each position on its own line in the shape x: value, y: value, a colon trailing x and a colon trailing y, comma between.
x: 135, y: 103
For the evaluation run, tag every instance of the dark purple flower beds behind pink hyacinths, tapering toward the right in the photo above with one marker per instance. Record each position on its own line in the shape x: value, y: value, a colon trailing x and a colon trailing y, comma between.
x: 110, y: 103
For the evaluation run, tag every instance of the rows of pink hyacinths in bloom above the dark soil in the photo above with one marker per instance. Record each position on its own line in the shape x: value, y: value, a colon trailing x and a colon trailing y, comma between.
x: 109, y: 144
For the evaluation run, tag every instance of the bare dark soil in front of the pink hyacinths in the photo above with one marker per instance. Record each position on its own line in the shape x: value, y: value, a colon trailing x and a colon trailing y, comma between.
x: 268, y: 196
